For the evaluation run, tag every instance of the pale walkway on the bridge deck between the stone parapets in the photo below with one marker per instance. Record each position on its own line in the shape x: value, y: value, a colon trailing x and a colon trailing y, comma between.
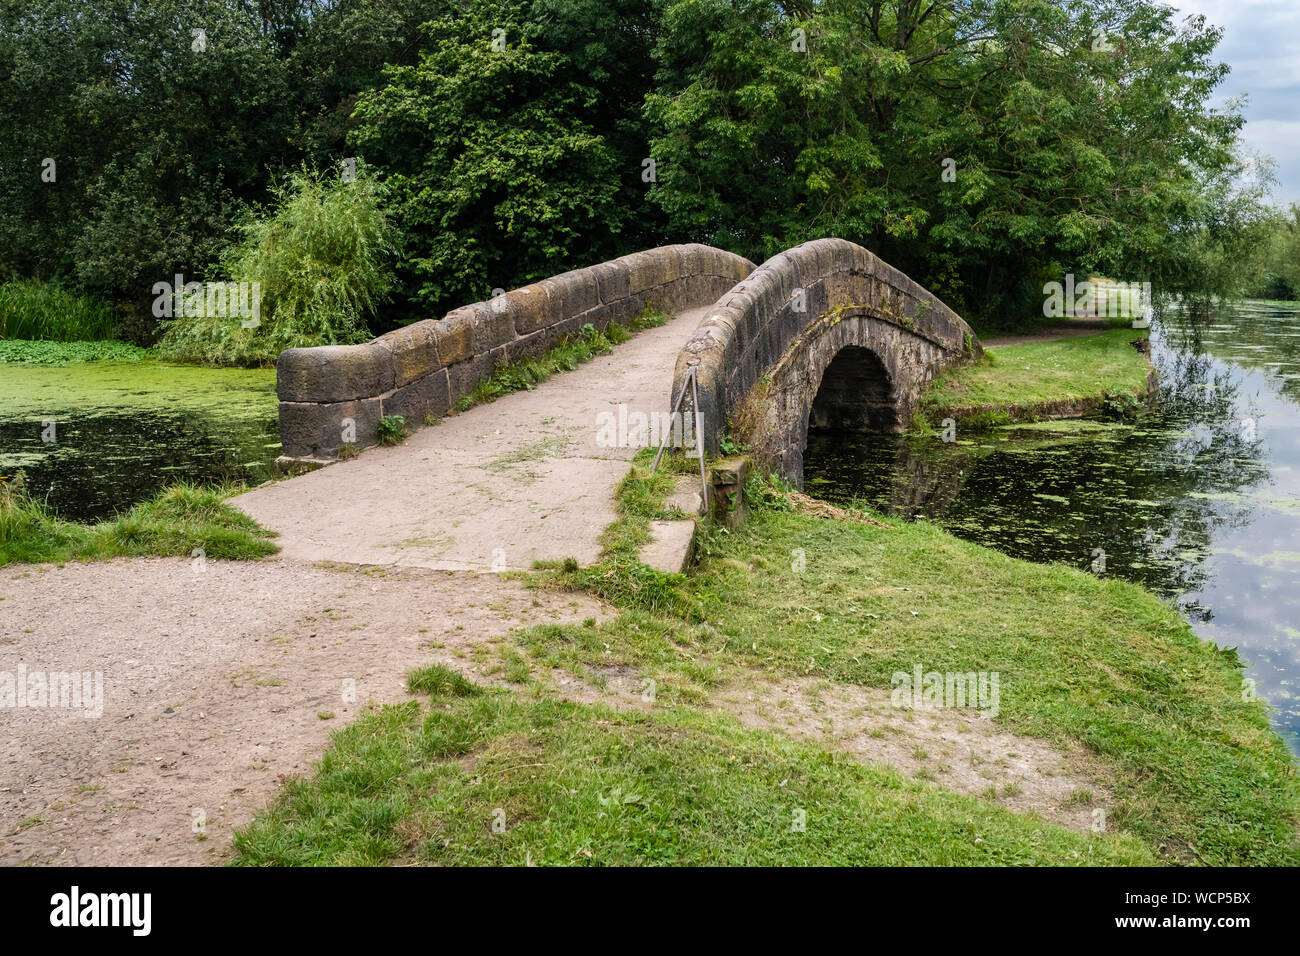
x: 523, y: 474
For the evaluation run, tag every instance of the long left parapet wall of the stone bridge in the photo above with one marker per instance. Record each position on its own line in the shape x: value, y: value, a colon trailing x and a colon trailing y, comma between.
x: 330, y: 395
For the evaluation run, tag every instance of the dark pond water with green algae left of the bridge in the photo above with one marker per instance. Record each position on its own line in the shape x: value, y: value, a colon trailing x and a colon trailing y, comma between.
x: 97, y: 438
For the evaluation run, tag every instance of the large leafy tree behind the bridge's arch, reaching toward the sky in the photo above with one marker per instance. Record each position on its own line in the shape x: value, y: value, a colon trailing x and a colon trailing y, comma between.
x: 978, y: 145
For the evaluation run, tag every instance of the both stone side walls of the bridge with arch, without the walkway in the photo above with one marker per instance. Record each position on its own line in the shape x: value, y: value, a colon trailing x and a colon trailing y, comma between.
x: 825, y: 335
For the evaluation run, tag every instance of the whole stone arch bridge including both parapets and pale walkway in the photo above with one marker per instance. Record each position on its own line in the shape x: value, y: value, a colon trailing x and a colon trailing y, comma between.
x: 822, y: 335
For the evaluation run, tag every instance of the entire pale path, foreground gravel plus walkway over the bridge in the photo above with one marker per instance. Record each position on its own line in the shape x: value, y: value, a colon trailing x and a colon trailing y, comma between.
x: 220, y: 684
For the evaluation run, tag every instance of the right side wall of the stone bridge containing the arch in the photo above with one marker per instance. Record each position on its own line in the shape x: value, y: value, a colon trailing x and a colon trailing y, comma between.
x: 825, y: 335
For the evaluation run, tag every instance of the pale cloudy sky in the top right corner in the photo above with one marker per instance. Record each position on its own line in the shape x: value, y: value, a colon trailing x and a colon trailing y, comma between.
x: 1262, y: 44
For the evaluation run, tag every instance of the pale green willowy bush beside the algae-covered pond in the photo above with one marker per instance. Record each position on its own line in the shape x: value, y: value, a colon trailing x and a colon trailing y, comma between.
x: 324, y: 262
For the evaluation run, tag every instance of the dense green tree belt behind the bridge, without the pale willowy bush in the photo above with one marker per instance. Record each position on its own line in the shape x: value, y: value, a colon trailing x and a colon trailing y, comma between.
x: 982, y: 146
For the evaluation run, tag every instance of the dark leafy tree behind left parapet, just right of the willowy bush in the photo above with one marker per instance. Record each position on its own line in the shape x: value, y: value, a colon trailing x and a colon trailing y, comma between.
x: 514, y: 146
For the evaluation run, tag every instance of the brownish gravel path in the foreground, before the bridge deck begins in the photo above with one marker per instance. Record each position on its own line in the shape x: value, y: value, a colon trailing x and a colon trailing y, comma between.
x: 218, y: 686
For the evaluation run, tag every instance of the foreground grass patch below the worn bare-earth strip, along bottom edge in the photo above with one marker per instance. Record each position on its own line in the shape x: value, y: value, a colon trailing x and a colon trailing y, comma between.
x: 574, y: 785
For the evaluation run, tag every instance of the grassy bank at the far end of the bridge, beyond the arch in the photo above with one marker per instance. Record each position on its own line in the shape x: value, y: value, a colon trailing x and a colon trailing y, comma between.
x: 1055, y: 379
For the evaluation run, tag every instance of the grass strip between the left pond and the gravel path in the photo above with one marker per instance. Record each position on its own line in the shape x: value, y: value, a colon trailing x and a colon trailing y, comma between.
x: 183, y: 518
